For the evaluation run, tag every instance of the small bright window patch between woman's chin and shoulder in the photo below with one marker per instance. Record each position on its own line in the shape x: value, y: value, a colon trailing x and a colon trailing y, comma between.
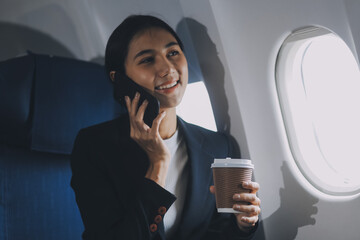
x: 195, y: 106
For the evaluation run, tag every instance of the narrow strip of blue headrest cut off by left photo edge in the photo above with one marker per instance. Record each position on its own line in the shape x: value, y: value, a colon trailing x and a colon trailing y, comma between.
x: 16, y: 81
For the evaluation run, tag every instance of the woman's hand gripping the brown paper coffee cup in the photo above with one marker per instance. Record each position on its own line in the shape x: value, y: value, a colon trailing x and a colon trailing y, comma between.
x: 249, y: 212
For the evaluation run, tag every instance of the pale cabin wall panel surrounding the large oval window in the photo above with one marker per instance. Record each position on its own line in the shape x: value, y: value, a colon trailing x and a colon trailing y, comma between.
x: 251, y: 34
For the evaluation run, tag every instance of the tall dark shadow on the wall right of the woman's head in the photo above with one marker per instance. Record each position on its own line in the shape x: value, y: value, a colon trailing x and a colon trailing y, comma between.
x: 211, y: 68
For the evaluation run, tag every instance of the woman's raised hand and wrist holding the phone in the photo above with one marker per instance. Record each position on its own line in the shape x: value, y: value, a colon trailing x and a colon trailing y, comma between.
x: 149, y: 139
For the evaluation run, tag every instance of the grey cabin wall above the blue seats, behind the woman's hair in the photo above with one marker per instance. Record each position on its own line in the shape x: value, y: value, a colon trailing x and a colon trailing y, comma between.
x: 75, y: 29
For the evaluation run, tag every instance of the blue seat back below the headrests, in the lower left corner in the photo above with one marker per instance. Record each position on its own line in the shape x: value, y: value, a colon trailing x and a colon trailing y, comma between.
x: 36, y: 201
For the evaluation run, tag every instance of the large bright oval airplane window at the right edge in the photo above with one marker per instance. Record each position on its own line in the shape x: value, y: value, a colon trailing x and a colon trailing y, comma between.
x: 318, y: 83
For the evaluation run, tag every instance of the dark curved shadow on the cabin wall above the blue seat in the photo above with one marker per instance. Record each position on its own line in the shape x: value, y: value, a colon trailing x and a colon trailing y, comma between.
x: 16, y: 40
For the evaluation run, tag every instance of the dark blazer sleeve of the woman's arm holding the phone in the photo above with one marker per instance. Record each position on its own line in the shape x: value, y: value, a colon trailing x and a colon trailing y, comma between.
x: 106, y: 213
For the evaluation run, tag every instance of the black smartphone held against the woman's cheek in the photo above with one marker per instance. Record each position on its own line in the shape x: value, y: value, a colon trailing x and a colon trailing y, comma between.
x: 127, y: 87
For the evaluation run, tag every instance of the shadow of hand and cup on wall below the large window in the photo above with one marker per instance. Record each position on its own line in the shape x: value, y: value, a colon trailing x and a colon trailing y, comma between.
x: 295, y: 211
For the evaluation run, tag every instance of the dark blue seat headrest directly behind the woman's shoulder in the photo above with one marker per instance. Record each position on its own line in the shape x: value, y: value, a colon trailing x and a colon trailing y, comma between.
x: 68, y: 95
